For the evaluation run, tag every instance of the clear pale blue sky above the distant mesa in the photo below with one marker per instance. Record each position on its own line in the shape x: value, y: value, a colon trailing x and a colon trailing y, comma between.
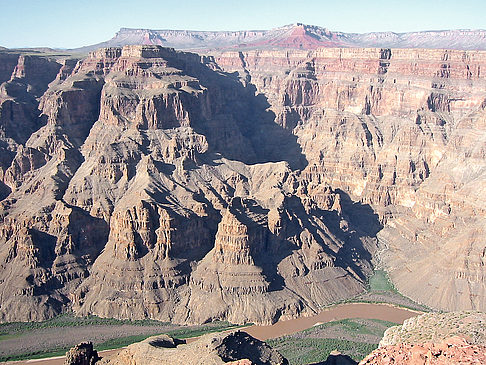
x: 70, y: 23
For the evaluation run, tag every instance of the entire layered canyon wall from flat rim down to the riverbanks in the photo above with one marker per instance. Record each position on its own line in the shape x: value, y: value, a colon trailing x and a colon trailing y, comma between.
x: 248, y: 186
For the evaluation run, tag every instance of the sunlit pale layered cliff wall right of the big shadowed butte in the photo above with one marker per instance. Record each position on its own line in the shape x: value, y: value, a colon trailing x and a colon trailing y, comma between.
x: 403, y: 131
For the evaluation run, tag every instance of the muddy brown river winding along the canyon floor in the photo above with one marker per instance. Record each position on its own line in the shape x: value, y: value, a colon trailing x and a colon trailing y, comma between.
x: 344, y: 311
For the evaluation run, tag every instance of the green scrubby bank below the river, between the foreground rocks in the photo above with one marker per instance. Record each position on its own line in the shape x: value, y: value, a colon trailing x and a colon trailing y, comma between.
x: 353, y: 337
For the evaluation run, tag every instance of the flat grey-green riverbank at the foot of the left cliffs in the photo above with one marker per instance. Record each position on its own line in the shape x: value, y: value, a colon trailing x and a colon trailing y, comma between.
x: 52, y: 338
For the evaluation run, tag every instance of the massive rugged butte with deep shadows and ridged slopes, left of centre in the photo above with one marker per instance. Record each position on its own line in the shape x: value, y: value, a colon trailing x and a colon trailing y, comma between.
x: 161, y: 187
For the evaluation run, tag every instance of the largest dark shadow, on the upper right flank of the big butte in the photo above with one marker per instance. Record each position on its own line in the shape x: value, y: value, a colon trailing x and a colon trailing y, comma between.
x: 240, y: 125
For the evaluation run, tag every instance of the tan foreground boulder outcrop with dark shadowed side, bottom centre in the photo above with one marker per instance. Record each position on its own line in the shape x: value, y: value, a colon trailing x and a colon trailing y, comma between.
x: 226, y: 348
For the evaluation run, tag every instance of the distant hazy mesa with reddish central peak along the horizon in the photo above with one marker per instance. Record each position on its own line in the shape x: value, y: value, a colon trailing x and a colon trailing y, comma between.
x: 294, y: 36
